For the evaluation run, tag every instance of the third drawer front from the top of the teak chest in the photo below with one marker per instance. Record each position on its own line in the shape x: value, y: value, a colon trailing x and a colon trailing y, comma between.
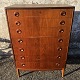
x: 43, y: 31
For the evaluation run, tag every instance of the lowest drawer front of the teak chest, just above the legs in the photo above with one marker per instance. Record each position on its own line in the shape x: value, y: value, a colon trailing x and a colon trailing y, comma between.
x: 41, y: 65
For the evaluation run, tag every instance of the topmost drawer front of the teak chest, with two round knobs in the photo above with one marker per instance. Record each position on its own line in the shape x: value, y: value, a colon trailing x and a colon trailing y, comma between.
x: 44, y: 13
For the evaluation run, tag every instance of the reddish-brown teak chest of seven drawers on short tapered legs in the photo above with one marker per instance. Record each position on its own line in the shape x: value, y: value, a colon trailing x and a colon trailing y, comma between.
x: 40, y: 35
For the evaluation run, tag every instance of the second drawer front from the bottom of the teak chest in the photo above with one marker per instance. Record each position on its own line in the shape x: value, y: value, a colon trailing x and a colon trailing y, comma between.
x: 40, y: 58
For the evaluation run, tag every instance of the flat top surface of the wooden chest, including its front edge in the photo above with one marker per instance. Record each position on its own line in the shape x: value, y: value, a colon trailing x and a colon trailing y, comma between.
x: 33, y: 6
